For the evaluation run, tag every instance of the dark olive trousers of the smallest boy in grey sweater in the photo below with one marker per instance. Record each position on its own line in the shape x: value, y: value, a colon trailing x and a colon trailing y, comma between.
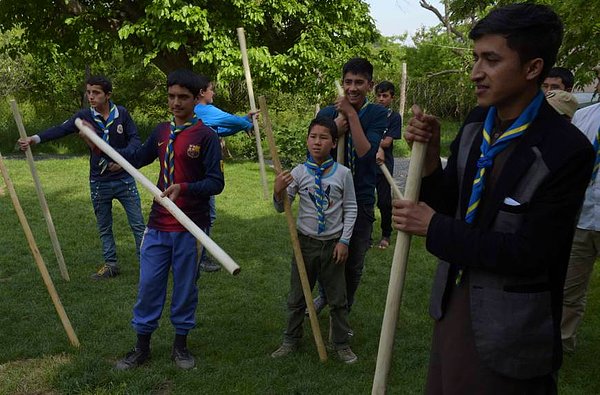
x: 318, y: 260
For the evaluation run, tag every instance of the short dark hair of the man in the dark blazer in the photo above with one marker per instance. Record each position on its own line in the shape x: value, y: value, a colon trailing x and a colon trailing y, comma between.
x: 532, y: 30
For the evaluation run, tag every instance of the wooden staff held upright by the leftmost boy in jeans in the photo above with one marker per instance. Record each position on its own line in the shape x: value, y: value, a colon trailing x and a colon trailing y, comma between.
x: 41, y: 197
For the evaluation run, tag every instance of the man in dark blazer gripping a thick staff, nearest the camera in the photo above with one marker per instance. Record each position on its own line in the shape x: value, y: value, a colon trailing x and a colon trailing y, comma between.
x: 501, y: 215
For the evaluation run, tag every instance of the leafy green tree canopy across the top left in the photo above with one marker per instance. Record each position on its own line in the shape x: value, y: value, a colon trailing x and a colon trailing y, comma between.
x: 291, y: 43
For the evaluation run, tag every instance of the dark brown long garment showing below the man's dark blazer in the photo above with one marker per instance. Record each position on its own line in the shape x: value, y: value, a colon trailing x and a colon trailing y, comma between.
x: 455, y: 367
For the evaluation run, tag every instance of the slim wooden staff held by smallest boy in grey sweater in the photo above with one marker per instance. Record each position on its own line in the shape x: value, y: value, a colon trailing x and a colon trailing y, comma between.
x: 312, y: 314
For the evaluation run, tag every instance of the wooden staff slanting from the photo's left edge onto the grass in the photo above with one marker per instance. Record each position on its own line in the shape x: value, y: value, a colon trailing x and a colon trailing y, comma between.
x: 39, y: 261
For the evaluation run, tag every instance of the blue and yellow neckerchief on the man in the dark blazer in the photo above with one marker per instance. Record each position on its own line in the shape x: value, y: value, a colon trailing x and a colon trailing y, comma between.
x: 489, y: 152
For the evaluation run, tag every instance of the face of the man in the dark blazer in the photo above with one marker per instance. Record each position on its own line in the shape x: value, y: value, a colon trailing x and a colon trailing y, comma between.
x: 500, y: 78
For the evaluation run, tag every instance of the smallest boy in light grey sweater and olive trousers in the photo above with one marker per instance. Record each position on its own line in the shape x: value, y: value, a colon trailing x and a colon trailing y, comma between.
x: 326, y: 216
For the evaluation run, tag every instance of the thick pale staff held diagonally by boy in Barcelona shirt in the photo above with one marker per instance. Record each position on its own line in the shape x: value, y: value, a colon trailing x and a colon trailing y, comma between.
x: 224, y: 259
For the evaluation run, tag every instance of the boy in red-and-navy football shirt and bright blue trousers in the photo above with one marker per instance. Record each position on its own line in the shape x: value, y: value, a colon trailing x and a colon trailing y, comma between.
x: 190, y: 173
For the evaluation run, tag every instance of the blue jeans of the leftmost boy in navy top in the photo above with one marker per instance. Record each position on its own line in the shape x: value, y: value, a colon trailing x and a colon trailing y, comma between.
x: 125, y: 191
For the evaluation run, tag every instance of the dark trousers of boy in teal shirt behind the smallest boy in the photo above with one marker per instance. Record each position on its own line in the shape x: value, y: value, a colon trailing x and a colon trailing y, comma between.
x: 357, y: 250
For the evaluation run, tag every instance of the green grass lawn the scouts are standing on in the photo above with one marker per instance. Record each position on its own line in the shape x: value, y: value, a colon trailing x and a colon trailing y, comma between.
x: 240, y: 319
